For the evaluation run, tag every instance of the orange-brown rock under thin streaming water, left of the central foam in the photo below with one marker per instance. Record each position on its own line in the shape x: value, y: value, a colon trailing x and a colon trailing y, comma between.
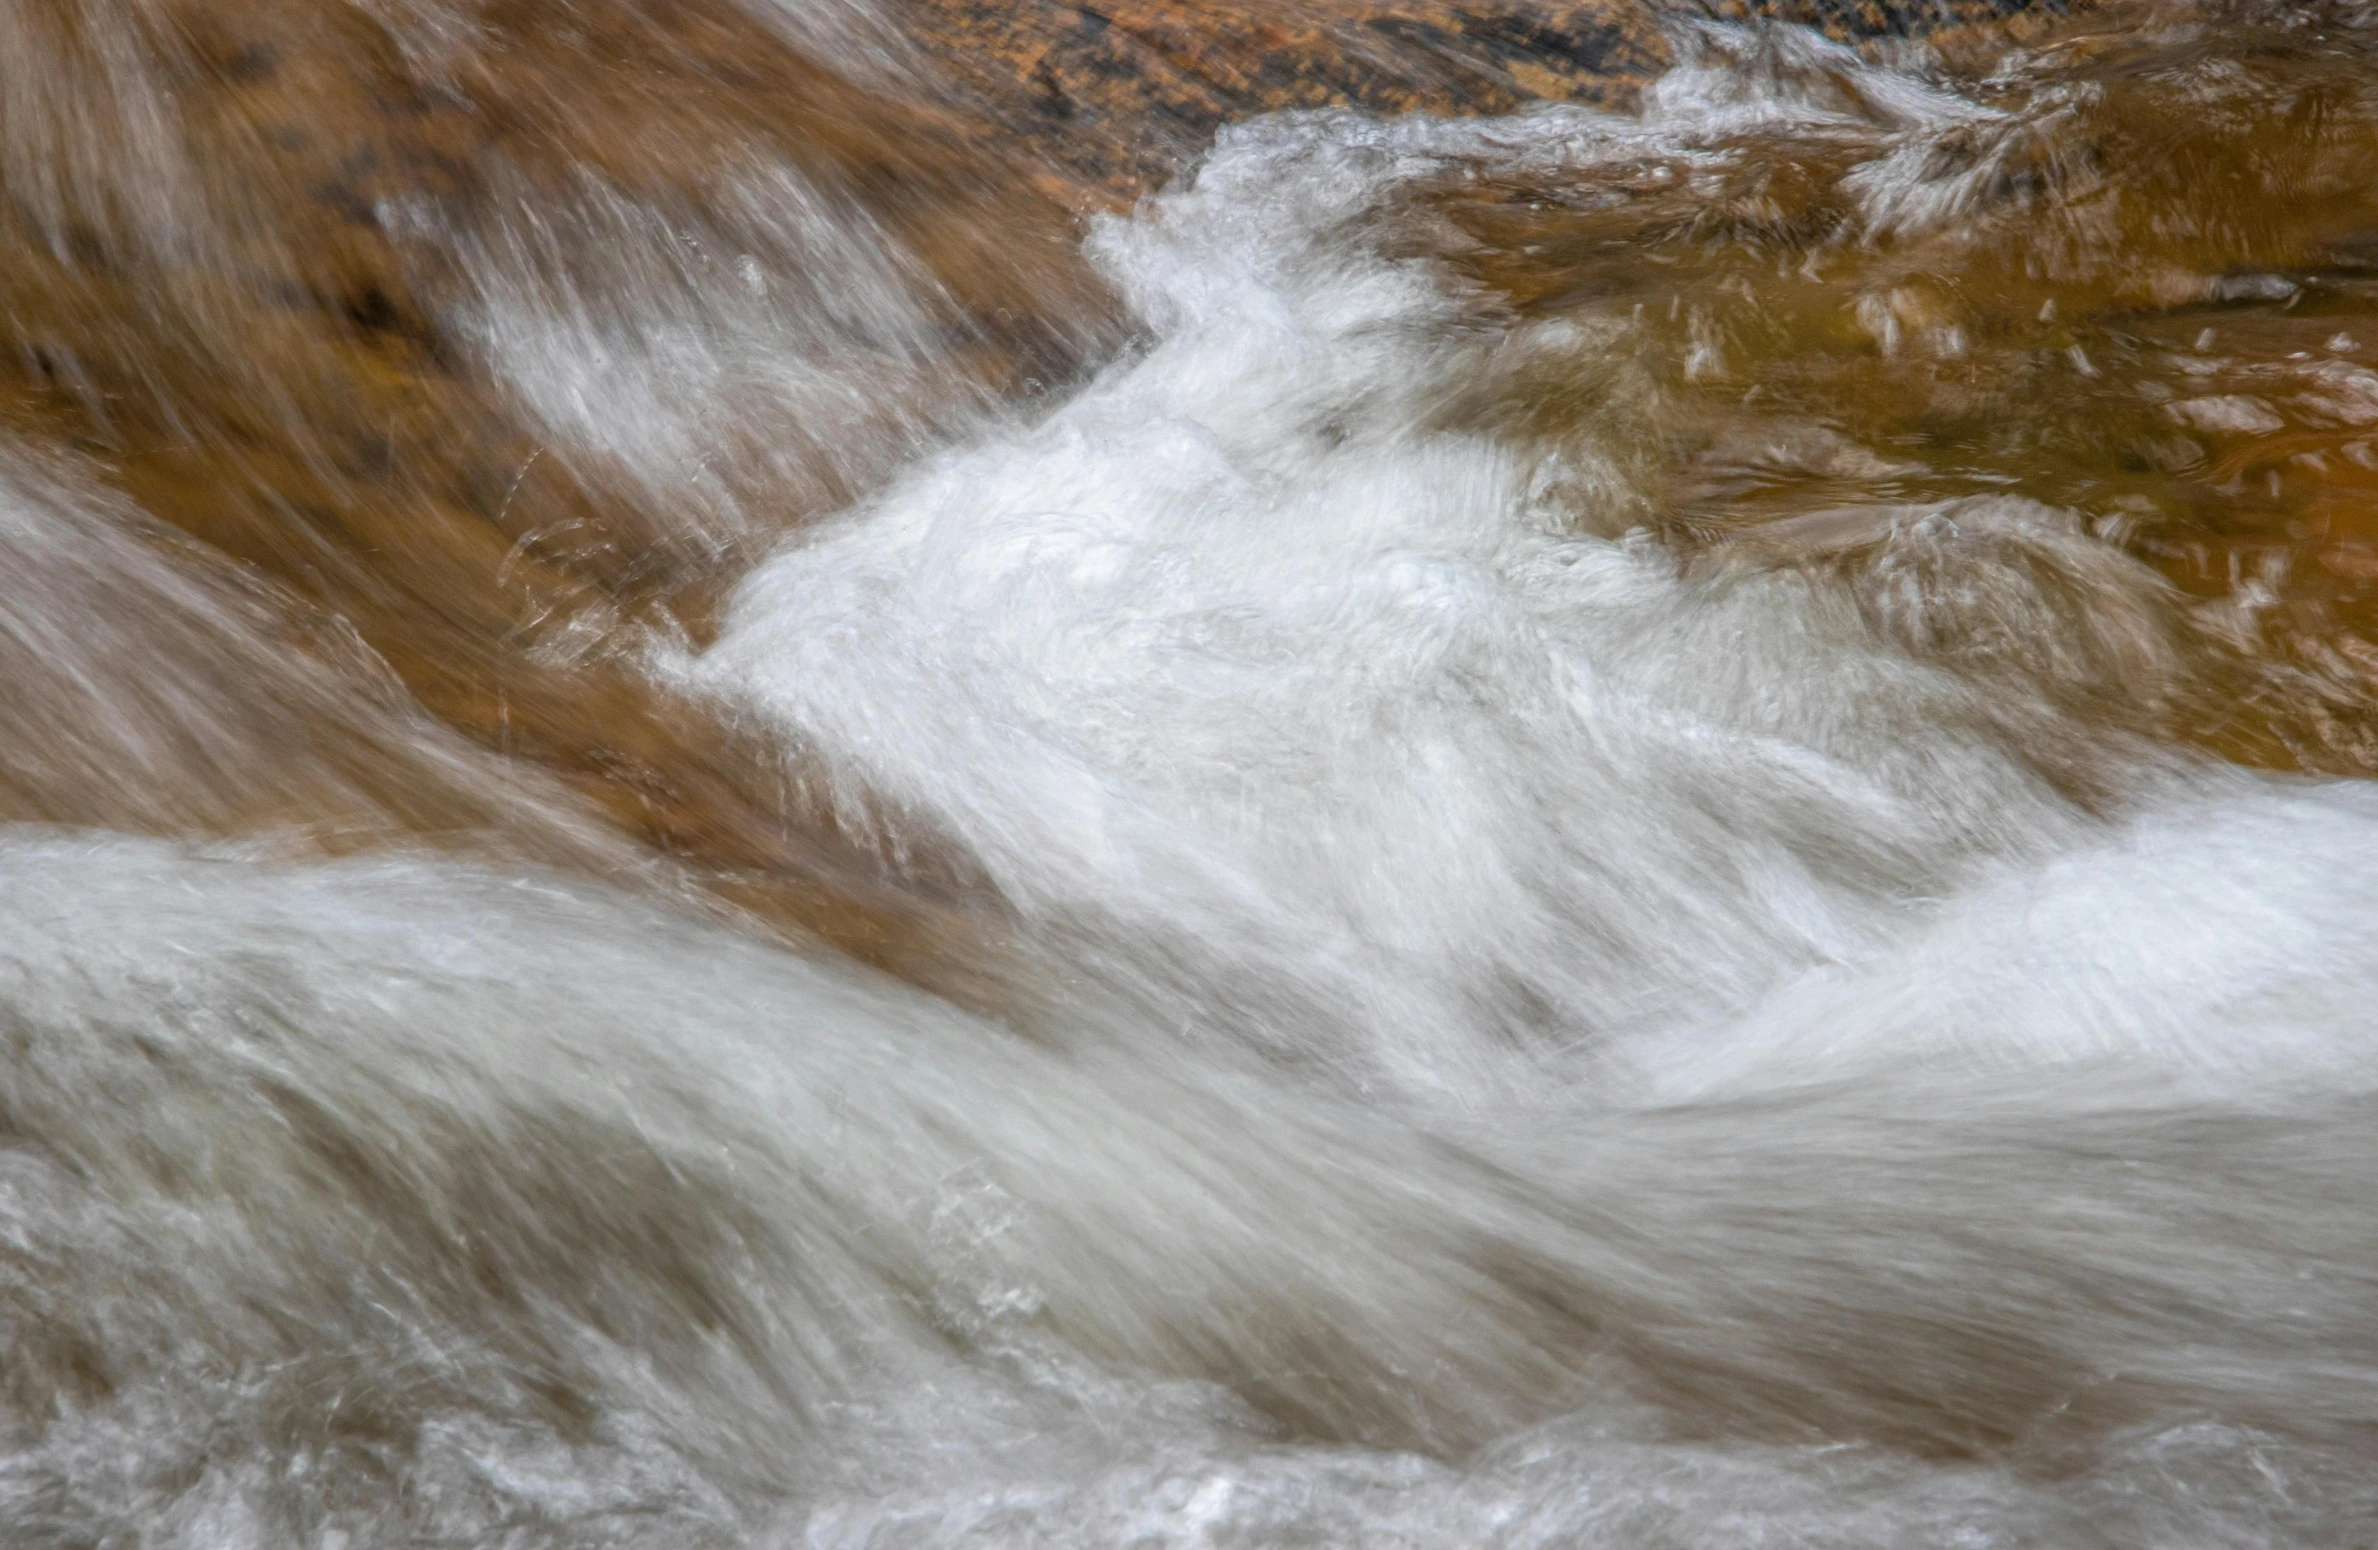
x: 222, y: 303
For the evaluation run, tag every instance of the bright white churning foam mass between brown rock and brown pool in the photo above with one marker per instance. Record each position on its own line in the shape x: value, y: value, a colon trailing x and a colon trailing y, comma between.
x: 1361, y: 741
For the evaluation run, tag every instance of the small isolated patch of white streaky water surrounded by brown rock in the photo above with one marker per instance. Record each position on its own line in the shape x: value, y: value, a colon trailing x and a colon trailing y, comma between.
x: 781, y: 341
